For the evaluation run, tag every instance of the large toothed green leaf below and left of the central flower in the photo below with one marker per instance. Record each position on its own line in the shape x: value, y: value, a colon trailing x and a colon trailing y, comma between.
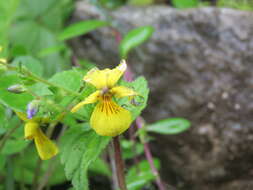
x: 80, y: 149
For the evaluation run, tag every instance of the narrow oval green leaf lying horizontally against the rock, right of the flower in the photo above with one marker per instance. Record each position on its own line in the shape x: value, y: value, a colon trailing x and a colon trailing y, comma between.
x: 169, y: 126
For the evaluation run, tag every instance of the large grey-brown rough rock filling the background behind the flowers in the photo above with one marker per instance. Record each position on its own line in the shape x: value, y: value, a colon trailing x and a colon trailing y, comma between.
x: 199, y: 64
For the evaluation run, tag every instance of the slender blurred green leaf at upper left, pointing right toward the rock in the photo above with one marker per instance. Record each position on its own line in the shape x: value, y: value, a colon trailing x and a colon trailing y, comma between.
x: 81, y: 28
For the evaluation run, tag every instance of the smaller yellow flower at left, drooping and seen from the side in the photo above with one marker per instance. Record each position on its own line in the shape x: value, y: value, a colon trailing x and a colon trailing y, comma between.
x: 45, y: 147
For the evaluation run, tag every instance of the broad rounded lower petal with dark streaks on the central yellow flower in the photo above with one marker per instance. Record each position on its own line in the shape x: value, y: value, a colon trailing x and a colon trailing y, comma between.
x: 109, y: 119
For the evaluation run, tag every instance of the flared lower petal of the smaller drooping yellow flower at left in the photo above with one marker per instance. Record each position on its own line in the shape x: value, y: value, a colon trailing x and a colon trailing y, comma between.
x: 45, y: 147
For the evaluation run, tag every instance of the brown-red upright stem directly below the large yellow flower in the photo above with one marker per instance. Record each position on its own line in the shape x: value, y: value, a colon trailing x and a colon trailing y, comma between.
x: 119, y: 163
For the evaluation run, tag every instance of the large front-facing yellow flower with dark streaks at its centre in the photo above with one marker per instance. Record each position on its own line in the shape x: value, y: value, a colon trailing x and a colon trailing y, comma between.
x: 108, y: 118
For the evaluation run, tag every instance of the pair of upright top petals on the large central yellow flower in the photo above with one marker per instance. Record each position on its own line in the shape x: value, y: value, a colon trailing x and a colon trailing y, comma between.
x: 105, y: 78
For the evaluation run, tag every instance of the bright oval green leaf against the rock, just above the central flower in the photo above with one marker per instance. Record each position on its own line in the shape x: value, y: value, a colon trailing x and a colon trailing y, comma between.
x: 134, y: 38
